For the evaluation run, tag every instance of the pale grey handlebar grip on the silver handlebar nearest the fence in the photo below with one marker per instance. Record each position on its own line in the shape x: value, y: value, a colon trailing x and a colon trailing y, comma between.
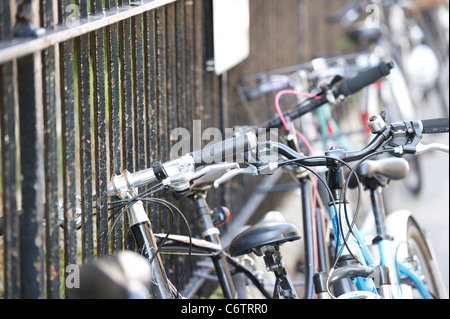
x: 229, y: 149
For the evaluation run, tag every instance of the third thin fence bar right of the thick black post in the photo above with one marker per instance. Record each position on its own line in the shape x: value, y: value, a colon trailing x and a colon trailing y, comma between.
x: 84, y: 116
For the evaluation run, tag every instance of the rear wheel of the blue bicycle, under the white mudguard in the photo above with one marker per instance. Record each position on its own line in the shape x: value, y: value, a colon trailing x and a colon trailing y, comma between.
x: 420, y: 259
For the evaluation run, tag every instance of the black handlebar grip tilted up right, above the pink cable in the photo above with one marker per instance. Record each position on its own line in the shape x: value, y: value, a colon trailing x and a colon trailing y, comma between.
x: 365, y: 78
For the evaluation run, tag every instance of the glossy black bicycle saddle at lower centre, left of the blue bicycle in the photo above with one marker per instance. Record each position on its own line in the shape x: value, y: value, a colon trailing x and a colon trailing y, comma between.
x: 271, y: 230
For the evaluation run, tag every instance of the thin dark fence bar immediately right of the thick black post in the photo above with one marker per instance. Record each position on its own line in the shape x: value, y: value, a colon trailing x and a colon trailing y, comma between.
x: 50, y: 160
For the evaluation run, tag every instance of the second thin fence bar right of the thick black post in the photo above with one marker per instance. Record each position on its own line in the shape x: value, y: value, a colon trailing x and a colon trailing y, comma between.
x: 68, y: 142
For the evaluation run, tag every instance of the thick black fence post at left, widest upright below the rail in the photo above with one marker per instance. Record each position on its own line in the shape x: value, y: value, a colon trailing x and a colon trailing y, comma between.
x: 31, y: 235
